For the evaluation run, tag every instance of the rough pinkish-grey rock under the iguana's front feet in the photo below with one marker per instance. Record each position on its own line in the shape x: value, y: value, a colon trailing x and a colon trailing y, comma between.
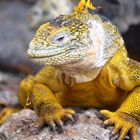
x: 20, y: 126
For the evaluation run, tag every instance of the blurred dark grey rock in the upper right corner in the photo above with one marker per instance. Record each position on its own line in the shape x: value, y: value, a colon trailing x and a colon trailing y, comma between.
x: 123, y: 13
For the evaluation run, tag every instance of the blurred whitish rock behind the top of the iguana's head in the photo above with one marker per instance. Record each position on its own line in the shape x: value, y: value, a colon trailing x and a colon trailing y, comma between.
x: 46, y: 10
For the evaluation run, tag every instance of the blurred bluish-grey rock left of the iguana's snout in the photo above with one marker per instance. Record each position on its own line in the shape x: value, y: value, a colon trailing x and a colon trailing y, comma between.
x: 14, y: 37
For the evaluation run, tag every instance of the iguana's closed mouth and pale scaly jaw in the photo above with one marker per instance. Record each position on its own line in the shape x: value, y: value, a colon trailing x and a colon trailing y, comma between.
x: 57, y: 55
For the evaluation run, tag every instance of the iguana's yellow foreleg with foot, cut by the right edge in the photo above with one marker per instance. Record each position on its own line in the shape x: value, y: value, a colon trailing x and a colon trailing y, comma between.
x: 126, y: 118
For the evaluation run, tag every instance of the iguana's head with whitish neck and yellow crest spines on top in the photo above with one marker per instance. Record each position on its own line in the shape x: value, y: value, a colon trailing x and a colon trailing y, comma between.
x: 81, y: 39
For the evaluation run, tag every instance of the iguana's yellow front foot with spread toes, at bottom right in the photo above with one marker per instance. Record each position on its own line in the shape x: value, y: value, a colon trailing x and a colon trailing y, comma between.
x: 123, y: 123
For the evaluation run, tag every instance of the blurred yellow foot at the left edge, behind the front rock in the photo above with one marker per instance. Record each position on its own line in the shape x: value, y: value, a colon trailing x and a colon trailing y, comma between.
x: 6, y: 112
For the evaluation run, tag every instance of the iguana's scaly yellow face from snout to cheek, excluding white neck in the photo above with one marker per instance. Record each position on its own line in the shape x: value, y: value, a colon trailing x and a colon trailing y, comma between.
x: 60, y: 41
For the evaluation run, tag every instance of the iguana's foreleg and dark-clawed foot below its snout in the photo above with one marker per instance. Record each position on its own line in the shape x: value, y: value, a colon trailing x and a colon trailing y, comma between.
x: 48, y: 109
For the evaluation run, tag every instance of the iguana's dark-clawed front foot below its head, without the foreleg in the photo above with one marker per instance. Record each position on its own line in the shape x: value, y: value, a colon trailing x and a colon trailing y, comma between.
x: 57, y: 119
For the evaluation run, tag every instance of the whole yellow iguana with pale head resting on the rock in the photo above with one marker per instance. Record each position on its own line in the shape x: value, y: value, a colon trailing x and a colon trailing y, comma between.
x: 86, y: 65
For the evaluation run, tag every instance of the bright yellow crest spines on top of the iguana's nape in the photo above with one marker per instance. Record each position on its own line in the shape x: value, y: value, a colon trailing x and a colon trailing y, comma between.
x: 84, y: 4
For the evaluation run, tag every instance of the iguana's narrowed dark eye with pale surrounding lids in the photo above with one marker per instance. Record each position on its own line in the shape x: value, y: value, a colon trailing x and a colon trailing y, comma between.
x: 61, y: 38
